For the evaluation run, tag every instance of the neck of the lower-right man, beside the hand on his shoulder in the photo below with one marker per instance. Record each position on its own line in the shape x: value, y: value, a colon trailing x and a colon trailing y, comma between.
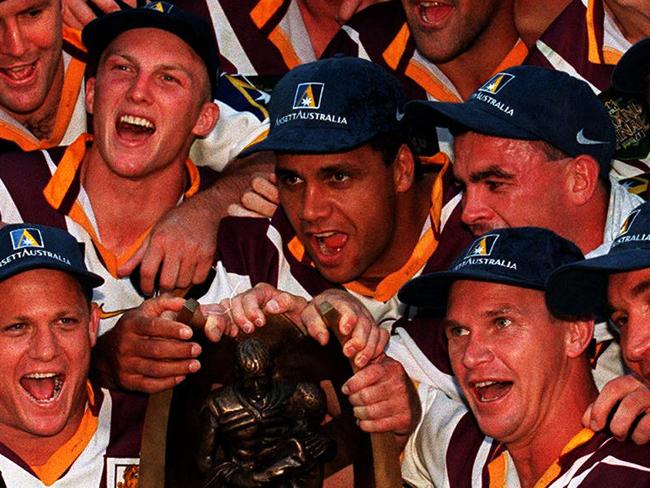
x: 534, y: 454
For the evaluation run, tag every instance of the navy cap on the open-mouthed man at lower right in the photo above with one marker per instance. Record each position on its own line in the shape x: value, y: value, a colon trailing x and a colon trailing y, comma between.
x: 518, y: 256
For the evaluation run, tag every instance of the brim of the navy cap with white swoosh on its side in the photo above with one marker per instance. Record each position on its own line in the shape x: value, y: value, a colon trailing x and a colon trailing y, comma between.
x: 463, y: 116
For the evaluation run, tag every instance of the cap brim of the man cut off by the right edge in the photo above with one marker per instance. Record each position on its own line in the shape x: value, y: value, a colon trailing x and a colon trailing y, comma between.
x: 580, y: 288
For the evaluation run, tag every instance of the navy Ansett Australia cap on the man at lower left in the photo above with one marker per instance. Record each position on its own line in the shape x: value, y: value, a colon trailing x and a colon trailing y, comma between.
x: 30, y: 246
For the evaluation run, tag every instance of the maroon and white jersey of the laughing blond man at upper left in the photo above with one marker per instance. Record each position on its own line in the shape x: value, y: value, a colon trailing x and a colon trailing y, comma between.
x: 43, y: 187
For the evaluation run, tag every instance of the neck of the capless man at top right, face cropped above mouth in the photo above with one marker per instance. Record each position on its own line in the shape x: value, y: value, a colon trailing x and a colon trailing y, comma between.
x: 474, y: 67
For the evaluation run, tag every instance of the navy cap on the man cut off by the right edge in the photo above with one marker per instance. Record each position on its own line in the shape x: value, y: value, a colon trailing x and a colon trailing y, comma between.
x: 581, y: 288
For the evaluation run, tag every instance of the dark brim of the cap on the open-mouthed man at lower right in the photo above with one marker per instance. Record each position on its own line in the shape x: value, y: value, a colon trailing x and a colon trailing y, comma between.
x: 432, y: 290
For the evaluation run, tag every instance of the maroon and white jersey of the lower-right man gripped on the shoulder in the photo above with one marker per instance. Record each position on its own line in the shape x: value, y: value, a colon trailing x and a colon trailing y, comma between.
x: 448, y: 450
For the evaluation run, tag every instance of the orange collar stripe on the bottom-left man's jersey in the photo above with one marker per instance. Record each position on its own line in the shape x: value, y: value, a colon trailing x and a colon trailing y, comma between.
x: 64, y: 456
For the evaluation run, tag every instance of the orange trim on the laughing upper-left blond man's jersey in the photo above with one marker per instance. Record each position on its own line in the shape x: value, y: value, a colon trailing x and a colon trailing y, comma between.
x: 59, y: 185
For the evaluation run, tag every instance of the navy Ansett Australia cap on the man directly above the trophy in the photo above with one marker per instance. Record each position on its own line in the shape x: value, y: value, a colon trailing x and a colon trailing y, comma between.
x: 332, y: 105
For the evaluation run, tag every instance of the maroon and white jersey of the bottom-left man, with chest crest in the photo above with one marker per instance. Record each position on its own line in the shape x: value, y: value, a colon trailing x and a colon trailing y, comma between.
x: 103, y: 452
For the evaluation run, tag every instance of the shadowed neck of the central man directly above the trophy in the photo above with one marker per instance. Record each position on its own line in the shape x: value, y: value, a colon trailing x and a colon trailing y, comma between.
x: 413, y: 209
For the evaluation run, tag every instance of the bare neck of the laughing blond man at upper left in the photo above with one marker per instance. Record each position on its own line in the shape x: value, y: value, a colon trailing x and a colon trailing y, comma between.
x: 144, y: 200
